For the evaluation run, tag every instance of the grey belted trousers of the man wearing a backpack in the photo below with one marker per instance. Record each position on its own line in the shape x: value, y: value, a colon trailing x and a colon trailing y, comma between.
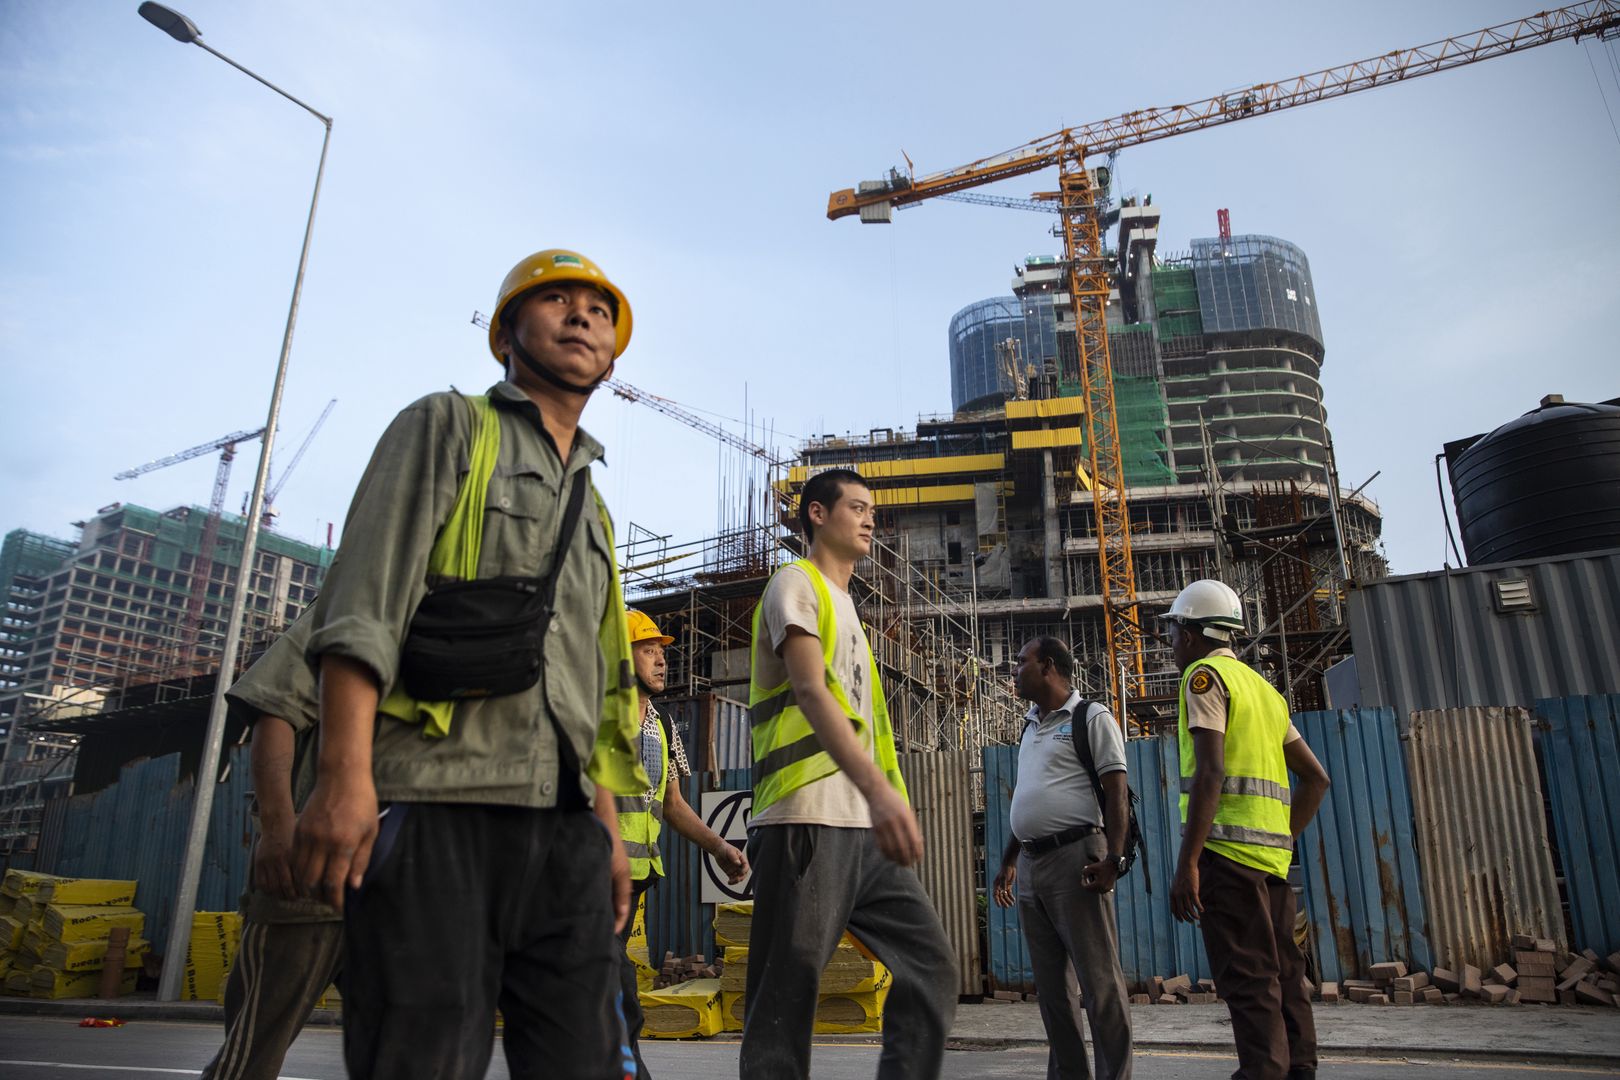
x: 1068, y: 924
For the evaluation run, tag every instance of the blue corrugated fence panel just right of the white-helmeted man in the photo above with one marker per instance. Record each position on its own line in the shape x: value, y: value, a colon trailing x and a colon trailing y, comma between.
x: 1363, y: 893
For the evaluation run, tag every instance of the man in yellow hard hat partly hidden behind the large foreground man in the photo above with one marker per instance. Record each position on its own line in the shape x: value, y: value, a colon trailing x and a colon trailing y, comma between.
x: 644, y: 815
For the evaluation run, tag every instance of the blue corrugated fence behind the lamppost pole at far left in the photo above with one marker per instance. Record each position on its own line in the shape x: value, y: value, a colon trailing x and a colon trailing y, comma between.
x: 137, y: 830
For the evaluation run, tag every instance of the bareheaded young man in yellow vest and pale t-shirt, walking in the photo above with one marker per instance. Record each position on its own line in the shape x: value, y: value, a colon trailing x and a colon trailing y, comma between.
x: 832, y: 835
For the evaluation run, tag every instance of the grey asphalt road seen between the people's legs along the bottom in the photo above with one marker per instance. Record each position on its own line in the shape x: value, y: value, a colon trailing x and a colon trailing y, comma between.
x: 35, y: 1048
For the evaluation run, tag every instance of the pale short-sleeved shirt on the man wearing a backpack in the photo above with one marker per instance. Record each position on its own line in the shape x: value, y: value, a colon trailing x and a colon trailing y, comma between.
x: 1054, y: 791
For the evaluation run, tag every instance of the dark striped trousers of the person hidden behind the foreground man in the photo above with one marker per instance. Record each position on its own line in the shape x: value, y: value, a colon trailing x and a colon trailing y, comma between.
x: 279, y: 976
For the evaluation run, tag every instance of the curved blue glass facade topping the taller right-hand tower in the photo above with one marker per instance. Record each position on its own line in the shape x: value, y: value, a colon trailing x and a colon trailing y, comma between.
x: 1255, y: 284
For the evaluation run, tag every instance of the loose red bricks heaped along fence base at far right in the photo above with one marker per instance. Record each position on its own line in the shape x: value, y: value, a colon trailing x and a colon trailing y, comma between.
x: 1538, y: 974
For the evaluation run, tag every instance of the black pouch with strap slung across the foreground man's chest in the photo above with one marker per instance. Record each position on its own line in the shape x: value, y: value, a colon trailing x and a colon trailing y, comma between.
x: 484, y: 639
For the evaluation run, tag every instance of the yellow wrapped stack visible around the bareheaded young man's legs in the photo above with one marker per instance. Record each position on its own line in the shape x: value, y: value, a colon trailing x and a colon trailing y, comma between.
x: 853, y: 987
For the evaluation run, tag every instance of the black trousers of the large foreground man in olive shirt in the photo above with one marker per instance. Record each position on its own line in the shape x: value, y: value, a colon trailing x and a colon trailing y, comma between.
x: 467, y: 909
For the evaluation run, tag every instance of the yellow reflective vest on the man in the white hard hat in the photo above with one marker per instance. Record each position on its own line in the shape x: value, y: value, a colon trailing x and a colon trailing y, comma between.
x: 1251, y: 825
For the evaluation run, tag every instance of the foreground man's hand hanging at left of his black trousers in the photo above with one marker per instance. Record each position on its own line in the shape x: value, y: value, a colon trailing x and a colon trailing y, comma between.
x: 335, y: 836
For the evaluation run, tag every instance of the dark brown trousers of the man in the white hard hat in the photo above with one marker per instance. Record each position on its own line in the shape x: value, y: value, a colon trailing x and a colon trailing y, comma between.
x: 1250, y: 937
